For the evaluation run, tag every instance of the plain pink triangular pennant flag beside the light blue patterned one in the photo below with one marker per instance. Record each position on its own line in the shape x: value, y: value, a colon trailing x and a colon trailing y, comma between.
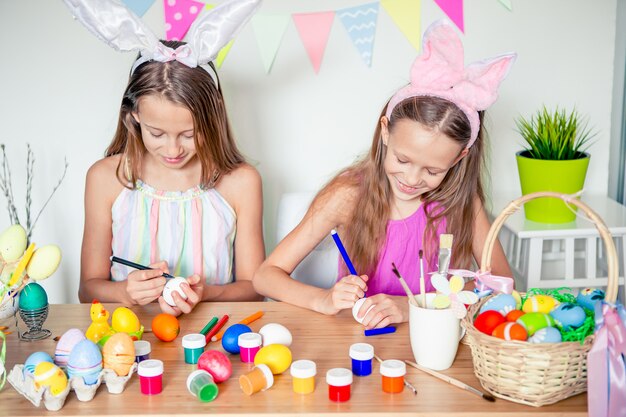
x: 314, y: 29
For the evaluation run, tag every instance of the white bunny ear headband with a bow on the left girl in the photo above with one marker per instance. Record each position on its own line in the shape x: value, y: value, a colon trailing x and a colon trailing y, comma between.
x: 119, y: 28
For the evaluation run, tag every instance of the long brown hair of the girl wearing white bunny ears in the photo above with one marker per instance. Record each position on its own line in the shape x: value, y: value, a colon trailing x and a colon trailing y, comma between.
x: 192, y: 88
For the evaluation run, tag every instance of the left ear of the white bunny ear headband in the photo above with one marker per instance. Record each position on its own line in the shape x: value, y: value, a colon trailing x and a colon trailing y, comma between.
x: 113, y: 24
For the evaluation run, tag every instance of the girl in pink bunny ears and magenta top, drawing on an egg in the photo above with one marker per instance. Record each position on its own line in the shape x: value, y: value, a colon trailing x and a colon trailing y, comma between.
x: 421, y: 178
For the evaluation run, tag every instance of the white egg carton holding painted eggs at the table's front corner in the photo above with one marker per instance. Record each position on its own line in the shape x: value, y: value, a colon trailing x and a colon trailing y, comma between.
x: 25, y: 385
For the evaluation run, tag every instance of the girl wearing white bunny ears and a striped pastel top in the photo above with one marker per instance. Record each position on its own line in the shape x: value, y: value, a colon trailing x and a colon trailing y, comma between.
x: 173, y: 191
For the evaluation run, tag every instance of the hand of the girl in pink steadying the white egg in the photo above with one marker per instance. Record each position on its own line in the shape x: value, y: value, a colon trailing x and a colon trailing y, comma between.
x: 386, y: 310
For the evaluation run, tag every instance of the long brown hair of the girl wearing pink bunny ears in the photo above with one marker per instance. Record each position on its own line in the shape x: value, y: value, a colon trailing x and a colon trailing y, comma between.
x: 453, y: 199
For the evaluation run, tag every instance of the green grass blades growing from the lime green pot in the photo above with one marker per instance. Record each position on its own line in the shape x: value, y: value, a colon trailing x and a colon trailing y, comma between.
x: 555, y: 135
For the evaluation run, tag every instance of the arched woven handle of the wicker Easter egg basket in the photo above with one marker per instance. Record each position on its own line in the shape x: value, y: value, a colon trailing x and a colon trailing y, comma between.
x: 513, y: 206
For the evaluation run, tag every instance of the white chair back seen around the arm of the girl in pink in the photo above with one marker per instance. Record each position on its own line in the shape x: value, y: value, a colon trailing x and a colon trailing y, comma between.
x: 319, y: 268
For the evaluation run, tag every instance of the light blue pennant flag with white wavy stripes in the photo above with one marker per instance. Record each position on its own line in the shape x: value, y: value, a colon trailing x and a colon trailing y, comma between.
x: 360, y: 22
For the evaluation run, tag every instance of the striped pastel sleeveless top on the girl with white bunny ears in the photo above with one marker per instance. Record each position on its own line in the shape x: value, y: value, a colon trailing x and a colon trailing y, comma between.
x: 192, y: 230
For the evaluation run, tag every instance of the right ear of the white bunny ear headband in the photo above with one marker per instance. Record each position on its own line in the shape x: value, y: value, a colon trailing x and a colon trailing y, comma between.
x: 215, y: 28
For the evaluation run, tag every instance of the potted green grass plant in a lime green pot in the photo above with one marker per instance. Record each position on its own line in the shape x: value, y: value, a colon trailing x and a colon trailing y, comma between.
x: 555, y: 159
